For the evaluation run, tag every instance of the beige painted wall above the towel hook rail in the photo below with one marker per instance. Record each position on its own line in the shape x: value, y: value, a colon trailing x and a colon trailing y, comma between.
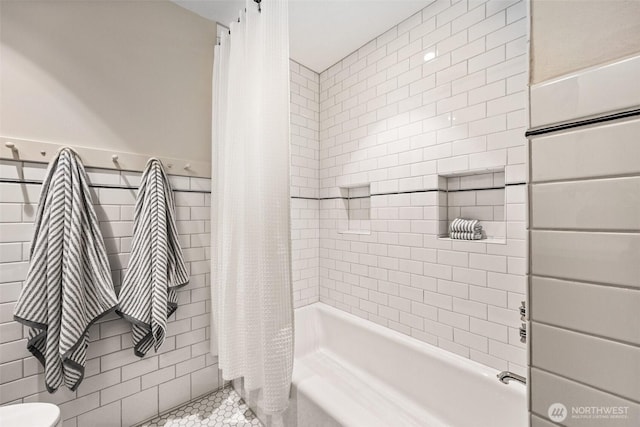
x: 130, y: 76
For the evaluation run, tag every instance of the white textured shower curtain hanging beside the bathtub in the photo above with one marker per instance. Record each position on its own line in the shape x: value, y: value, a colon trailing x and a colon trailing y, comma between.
x: 252, y: 314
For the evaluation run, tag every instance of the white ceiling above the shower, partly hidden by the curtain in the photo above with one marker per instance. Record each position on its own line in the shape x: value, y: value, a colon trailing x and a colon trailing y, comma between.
x: 322, y: 32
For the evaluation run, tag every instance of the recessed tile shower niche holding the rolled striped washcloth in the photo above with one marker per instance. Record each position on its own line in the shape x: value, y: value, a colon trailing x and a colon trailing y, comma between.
x: 475, y: 195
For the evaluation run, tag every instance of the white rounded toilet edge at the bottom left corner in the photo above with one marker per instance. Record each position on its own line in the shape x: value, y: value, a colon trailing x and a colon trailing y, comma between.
x: 30, y: 415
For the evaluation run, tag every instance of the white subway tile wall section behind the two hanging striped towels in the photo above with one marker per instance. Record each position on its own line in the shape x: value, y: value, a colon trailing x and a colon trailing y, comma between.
x: 119, y: 388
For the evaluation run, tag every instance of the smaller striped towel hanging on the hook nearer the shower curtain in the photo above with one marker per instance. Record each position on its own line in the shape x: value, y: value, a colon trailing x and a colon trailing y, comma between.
x: 156, y: 268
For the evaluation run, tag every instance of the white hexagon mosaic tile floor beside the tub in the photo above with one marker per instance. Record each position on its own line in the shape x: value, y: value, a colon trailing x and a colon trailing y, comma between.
x: 219, y: 409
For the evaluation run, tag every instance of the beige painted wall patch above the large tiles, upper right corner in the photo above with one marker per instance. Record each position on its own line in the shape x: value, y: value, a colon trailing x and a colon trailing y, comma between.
x: 592, y: 32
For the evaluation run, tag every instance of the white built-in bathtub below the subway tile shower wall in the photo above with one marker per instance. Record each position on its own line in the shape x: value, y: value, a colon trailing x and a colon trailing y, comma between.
x: 352, y: 372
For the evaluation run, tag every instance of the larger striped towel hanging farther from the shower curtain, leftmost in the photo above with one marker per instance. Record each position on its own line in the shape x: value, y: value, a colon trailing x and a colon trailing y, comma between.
x: 68, y: 285
